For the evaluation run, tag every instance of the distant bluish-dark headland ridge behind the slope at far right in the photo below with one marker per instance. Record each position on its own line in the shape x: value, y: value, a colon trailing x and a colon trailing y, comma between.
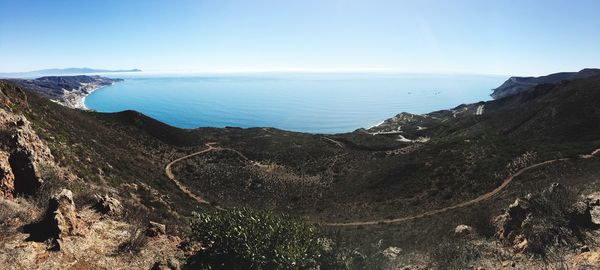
x: 515, y: 85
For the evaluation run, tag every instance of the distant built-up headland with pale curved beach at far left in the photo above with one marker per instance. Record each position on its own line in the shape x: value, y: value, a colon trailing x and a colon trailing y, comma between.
x: 69, y: 91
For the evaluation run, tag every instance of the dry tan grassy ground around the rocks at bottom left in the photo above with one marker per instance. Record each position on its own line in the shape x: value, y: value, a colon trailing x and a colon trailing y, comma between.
x: 96, y: 249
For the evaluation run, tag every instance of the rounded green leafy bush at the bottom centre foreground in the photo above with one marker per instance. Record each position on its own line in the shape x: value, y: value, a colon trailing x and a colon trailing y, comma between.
x: 252, y: 239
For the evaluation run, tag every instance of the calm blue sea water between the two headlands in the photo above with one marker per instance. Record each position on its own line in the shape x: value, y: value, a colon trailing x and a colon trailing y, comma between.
x: 316, y: 103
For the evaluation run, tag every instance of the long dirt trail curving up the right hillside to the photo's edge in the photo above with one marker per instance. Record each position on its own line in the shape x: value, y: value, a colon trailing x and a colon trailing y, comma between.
x: 460, y: 205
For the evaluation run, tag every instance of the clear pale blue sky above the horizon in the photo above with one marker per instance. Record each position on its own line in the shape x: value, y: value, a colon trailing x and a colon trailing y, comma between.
x: 517, y: 37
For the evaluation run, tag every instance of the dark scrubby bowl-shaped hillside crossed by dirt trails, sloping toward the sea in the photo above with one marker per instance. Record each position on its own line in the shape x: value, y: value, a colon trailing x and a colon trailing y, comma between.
x: 407, y: 166
